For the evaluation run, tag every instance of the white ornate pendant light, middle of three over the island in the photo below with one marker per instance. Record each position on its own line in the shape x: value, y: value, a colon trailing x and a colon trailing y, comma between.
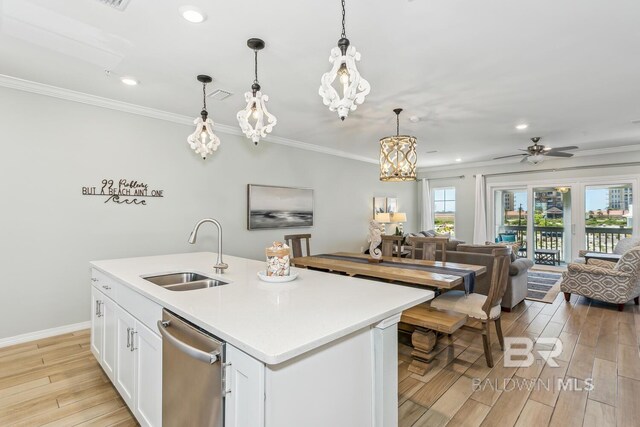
x: 252, y: 117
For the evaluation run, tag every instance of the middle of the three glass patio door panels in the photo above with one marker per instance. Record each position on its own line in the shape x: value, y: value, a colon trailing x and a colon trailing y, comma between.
x: 552, y: 225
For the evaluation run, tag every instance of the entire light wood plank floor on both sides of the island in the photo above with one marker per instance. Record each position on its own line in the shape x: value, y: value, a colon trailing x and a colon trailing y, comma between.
x: 56, y: 381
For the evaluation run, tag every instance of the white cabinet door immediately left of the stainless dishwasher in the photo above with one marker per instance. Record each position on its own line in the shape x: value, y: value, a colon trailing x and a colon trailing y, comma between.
x: 148, y: 352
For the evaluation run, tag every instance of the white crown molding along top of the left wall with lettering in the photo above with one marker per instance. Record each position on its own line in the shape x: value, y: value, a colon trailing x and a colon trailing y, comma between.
x: 112, y: 104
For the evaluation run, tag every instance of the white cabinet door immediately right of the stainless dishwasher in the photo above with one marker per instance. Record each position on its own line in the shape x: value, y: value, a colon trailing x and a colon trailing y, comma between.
x: 244, y: 401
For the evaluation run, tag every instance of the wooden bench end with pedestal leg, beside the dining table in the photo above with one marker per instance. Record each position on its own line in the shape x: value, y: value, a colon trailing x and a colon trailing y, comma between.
x: 427, y: 322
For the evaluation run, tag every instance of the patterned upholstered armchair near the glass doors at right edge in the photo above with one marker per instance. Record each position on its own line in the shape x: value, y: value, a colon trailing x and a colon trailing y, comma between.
x: 600, y: 281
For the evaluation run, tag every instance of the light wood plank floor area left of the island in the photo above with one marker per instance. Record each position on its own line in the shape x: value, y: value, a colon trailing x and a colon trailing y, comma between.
x: 57, y: 382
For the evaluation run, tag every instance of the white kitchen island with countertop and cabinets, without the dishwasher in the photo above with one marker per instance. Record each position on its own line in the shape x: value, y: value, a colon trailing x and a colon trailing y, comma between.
x: 317, y: 351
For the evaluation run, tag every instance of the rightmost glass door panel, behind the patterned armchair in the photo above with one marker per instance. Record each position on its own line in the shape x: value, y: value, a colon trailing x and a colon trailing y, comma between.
x: 608, y: 216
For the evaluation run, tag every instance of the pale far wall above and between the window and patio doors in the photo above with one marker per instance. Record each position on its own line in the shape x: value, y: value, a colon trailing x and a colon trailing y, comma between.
x: 465, y: 187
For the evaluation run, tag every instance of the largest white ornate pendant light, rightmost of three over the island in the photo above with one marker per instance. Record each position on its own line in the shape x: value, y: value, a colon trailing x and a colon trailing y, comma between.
x: 352, y: 86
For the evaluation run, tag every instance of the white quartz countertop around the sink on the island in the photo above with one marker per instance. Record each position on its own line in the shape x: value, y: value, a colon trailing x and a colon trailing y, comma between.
x: 272, y: 322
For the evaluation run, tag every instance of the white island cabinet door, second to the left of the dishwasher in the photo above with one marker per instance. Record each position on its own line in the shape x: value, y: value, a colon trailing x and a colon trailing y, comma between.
x: 125, y: 357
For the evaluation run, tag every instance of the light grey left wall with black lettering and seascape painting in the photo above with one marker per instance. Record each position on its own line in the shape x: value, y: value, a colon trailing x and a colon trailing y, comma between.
x: 51, y: 148
